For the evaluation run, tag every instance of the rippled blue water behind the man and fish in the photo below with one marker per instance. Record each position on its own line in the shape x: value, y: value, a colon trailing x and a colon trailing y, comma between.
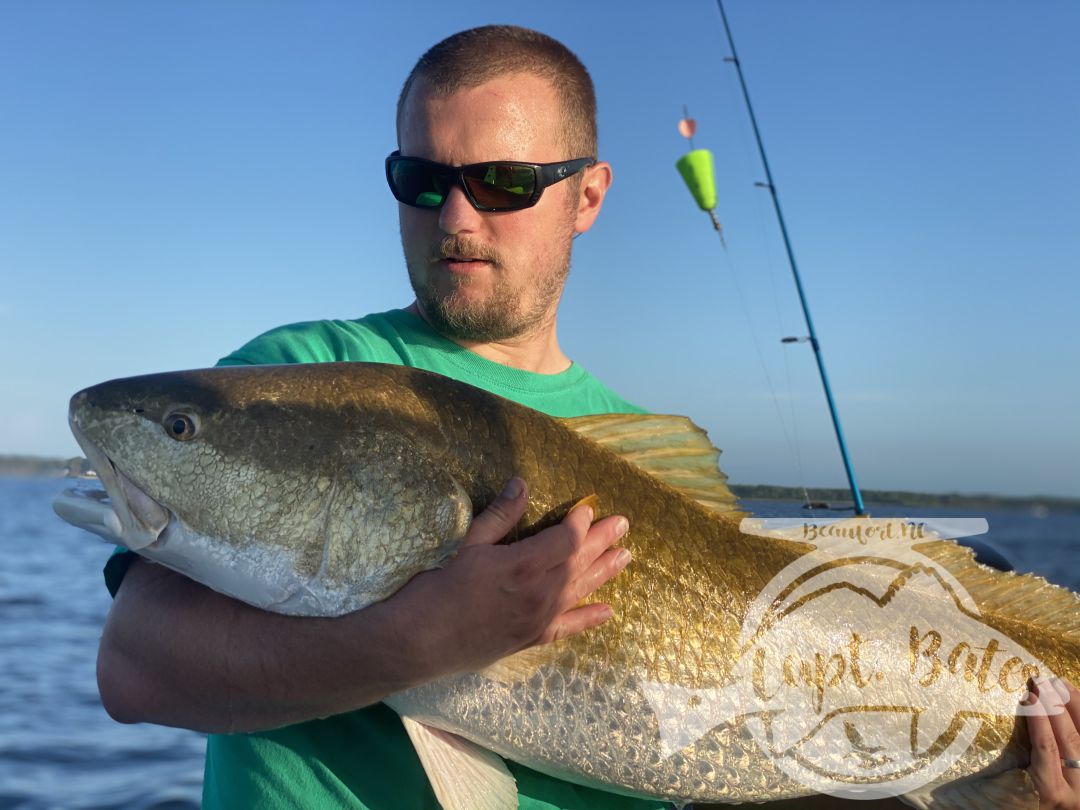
x: 60, y: 750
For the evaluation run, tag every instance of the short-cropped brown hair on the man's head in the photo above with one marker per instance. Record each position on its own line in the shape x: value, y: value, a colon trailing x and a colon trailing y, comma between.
x: 470, y: 59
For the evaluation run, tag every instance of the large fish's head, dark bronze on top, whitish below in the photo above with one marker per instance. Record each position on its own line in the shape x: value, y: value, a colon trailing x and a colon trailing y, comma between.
x: 265, y: 487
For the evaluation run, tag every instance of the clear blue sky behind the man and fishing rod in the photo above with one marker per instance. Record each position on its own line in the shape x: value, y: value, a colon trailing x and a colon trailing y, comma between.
x: 180, y: 178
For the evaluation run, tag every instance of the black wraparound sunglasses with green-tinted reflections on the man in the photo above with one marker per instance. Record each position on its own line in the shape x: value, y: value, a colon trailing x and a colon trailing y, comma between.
x: 499, y: 185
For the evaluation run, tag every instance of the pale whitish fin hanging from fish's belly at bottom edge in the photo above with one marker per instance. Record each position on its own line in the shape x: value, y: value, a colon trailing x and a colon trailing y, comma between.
x: 463, y: 775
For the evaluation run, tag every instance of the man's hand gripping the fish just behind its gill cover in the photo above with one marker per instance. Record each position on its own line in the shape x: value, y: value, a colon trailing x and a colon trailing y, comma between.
x: 495, y: 600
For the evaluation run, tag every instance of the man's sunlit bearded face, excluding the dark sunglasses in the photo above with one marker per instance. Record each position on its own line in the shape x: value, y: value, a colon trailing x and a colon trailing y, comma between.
x: 489, y: 277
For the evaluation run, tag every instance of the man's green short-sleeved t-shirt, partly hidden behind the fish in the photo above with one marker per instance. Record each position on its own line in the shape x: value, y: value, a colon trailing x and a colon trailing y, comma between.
x: 364, y: 760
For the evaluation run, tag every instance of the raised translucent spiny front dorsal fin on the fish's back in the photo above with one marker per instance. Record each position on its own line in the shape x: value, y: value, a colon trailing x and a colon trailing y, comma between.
x: 671, y: 449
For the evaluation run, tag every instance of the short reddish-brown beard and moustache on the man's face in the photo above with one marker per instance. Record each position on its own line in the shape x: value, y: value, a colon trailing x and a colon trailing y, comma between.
x: 507, y: 313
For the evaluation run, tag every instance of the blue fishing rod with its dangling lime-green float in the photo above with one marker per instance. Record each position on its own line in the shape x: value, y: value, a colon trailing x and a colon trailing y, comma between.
x: 698, y: 173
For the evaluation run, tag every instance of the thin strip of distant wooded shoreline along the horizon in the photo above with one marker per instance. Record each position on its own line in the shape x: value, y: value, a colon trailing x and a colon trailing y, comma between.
x: 42, y: 467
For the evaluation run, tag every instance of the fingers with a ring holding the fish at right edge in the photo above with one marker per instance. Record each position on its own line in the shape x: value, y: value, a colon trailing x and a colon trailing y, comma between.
x: 1056, y: 737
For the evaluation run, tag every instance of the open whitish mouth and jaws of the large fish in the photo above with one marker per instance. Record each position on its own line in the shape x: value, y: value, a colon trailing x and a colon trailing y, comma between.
x: 123, y: 514
